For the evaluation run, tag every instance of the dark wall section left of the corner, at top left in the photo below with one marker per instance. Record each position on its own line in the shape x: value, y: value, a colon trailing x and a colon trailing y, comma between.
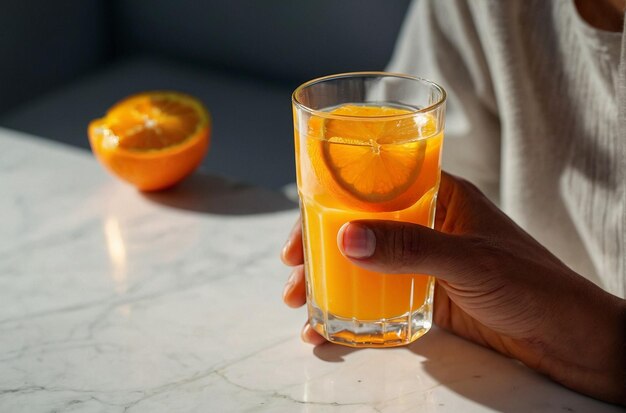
x: 44, y: 44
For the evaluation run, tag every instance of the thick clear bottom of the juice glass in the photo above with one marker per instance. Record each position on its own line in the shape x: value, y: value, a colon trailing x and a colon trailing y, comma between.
x: 389, y: 332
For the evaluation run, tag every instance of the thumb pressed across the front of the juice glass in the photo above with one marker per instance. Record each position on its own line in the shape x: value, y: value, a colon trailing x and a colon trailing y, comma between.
x: 401, y: 247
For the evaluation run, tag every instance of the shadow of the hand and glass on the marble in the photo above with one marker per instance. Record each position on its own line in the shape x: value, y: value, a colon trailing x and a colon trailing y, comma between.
x: 478, y: 374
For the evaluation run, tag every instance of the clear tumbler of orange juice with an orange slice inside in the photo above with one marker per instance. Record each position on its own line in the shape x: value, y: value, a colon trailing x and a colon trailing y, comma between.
x: 368, y: 146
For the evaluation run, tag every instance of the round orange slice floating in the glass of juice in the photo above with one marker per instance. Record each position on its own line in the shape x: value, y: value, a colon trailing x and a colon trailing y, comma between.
x: 370, y: 157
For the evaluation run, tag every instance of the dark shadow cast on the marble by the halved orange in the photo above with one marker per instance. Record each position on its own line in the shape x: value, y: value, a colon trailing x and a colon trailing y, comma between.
x: 211, y: 194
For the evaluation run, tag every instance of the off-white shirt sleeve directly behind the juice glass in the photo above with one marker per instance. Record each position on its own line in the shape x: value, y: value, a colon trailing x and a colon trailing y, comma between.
x: 439, y: 41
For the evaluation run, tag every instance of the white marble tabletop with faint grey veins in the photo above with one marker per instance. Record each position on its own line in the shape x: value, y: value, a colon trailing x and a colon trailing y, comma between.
x: 113, y: 301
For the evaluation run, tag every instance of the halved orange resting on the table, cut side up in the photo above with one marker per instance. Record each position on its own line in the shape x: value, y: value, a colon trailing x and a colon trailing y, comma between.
x: 153, y: 139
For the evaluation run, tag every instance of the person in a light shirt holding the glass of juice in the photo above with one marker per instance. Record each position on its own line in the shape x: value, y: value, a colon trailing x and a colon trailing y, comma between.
x: 537, y: 121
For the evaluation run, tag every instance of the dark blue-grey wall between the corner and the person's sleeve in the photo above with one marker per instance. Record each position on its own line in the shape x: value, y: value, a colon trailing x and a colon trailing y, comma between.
x: 287, y: 40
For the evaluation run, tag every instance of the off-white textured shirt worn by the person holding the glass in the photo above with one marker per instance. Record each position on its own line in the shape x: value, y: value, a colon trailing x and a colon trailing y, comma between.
x: 536, y: 118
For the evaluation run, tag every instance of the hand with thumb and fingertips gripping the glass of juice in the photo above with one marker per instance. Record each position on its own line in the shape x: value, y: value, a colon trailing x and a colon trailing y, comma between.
x: 496, y: 286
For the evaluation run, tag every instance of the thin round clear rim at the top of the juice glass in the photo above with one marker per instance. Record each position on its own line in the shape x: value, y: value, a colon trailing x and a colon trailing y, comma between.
x: 346, y: 75
